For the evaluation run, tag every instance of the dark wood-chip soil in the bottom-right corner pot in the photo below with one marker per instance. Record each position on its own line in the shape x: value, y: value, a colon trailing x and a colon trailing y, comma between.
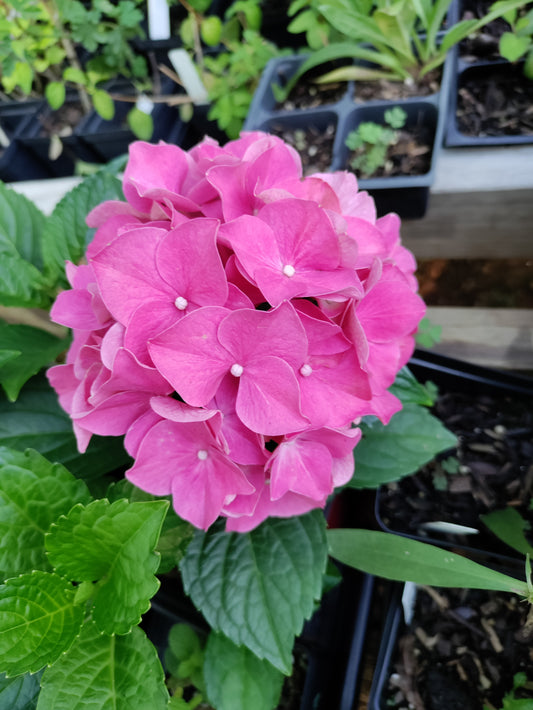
x: 461, y: 652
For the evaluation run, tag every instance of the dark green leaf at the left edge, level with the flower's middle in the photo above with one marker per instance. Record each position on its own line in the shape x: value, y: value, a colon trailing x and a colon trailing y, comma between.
x: 36, y: 348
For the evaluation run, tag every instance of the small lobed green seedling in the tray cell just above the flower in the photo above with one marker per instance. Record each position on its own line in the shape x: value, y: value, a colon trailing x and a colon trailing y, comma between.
x: 370, y: 141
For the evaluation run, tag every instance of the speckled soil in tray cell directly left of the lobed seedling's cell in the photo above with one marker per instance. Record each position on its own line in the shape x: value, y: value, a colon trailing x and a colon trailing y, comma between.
x: 315, y: 146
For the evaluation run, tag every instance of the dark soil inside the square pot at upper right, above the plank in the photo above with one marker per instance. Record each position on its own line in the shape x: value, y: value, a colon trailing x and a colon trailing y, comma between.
x: 499, y: 103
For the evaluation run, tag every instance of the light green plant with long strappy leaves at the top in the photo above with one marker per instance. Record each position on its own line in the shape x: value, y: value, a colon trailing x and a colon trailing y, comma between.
x: 398, y: 41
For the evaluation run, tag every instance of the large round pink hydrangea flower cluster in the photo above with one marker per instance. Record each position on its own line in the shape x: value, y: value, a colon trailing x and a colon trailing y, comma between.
x: 234, y: 321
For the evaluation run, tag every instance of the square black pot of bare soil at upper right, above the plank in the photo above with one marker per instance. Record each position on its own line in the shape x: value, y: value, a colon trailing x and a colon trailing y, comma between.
x: 490, y: 104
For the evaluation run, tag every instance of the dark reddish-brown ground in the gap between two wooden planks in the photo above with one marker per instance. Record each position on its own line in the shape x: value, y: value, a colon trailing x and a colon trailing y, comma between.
x: 482, y: 283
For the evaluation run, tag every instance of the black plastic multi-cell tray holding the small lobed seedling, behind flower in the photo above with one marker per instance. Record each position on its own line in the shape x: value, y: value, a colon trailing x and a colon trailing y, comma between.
x: 405, y: 195
